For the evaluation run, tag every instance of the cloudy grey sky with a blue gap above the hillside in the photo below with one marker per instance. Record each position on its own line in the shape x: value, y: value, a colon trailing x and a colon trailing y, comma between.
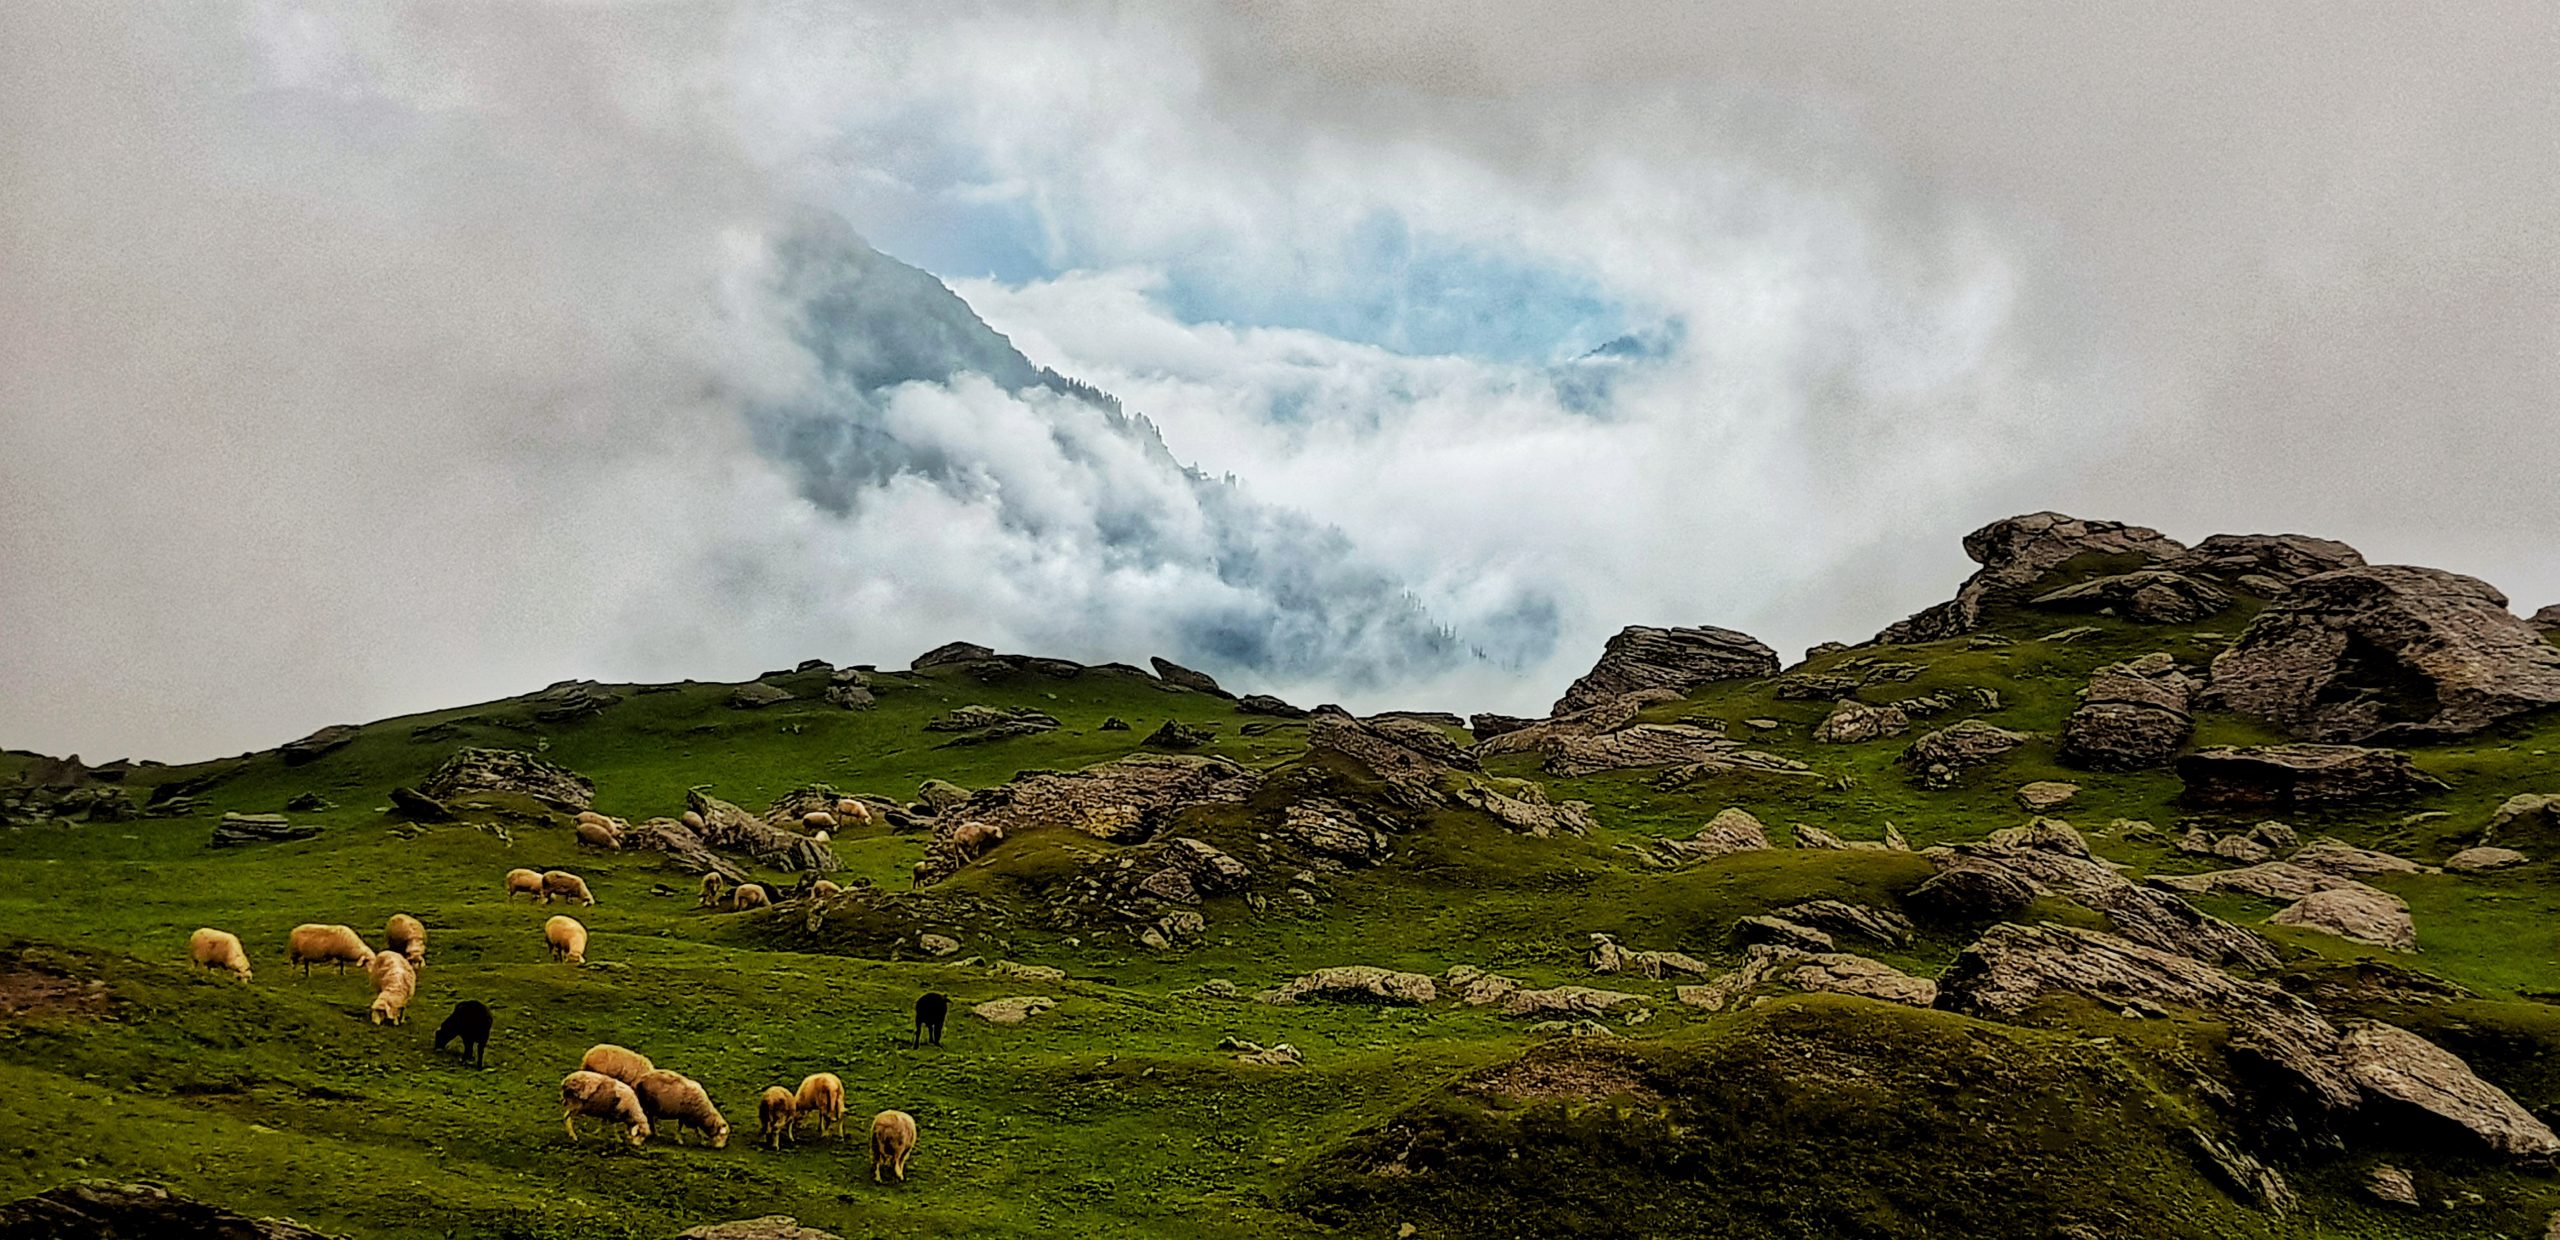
x: 362, y: 360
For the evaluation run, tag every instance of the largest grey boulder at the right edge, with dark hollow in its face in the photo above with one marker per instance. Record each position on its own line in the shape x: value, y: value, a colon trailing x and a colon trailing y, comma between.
x: 2387, y: 655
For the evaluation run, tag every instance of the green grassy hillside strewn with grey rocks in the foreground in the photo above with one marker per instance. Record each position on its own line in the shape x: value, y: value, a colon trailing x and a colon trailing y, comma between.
x: 2139, y: 890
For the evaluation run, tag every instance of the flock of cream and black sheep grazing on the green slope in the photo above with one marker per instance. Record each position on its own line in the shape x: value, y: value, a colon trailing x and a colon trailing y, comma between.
x: 613, y: 1085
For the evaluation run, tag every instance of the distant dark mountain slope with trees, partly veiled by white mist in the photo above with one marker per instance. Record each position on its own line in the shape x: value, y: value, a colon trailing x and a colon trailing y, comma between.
x: 905, y: 388
